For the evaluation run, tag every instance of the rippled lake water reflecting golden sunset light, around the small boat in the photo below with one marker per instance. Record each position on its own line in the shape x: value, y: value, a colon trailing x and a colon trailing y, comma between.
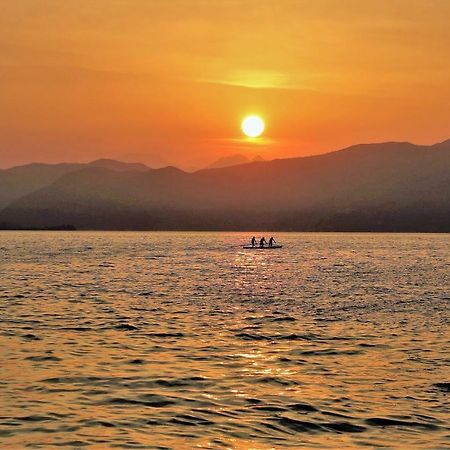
x: 165, y: 340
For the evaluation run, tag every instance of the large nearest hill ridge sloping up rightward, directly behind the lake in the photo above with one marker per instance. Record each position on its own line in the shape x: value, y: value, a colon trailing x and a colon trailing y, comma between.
x: 372, y: 187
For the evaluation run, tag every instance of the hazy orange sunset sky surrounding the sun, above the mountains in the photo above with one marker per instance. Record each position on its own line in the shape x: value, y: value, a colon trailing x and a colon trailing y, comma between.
x: 168, y: 81
